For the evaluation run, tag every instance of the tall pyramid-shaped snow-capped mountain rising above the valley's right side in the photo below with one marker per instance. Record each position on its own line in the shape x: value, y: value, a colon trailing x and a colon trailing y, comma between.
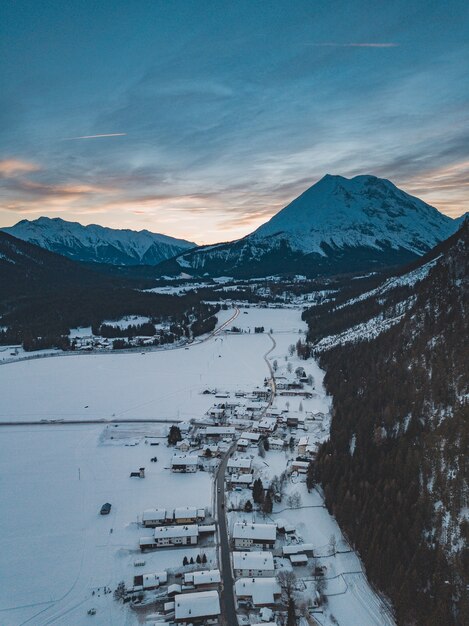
x: 337, y: 225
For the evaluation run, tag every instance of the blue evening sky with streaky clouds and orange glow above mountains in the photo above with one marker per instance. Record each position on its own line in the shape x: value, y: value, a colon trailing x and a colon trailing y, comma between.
x: 202, y: 119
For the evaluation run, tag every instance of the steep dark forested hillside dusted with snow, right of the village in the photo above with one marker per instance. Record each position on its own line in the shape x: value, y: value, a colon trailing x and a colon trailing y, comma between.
x: 394, y: 471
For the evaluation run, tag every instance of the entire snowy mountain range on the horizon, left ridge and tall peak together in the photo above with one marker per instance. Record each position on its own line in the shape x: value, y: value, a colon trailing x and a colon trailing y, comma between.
x: 337, y: 226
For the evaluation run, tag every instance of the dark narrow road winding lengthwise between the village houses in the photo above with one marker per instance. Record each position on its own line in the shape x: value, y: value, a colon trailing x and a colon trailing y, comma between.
x: 228, y: 604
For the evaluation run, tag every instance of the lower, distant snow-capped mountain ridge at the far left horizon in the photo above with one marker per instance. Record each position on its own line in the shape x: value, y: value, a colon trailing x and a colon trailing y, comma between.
x: 98, y: 244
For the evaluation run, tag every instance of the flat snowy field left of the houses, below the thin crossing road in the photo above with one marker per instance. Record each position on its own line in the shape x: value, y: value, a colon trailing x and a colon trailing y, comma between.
x: 56, y: 548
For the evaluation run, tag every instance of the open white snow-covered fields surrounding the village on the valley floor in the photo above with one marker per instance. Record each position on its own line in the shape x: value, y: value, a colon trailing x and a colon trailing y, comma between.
x: 56, y: 548
